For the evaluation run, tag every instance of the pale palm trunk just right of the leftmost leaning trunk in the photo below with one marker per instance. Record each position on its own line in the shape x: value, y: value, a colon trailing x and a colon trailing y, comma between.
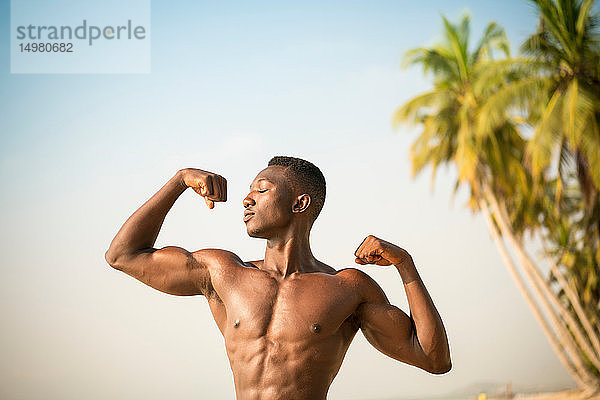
x: 538, y: 287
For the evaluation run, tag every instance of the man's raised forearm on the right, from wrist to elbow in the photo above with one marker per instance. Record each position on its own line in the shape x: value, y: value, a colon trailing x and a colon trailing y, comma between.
x: 427, y: 321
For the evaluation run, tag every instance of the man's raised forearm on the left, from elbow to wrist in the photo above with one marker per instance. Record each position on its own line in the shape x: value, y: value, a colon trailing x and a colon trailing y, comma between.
x: 141, y: 229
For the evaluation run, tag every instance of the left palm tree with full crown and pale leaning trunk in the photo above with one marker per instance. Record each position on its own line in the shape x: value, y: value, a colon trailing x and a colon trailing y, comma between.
x: 488, y: 153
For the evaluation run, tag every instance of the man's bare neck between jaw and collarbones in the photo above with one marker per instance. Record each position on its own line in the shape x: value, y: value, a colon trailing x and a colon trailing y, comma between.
x: 289, y: 253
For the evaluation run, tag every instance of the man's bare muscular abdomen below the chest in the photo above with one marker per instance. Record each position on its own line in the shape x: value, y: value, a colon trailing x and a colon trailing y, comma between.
x: 267, y: 368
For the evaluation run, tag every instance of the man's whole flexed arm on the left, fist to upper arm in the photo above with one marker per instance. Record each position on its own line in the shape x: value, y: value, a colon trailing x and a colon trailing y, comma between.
x: 171, y: 269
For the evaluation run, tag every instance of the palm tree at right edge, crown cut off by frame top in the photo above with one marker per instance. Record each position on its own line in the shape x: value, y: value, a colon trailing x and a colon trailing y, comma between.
x: 560, y: 96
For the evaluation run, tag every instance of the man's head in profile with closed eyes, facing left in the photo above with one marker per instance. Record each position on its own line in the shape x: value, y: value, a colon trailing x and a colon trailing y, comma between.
x: 289, y: 191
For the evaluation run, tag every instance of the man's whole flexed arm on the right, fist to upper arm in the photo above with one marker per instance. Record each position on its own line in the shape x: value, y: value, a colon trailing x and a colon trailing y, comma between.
x: 420, y: 339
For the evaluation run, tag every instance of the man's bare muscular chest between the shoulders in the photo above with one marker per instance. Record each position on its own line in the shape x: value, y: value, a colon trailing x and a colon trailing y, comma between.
x: 306, y: 307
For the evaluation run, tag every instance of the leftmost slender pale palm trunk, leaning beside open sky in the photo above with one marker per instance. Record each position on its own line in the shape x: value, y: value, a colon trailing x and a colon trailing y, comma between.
x: 558, y: 350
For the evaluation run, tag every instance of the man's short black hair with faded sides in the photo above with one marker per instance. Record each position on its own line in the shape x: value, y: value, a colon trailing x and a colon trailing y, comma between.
x: 308, y: 177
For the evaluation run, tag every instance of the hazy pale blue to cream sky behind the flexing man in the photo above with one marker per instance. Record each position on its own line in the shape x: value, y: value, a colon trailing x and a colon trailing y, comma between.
x: 232, y: 85
